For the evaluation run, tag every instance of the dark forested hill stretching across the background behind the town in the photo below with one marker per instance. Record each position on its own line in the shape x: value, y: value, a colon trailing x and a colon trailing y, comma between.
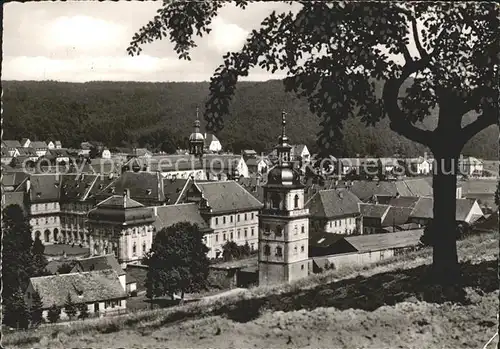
x: 160, y: 115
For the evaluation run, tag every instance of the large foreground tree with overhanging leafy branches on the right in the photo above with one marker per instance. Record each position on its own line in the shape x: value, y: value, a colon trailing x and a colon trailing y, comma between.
x: 365, y: 48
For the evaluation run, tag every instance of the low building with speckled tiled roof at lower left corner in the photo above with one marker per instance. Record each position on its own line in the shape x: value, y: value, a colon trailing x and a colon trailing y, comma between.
x: 100, y: 290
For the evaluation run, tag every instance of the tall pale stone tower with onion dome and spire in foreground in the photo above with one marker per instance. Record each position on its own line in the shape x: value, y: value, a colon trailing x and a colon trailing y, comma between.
x: 283, y: 222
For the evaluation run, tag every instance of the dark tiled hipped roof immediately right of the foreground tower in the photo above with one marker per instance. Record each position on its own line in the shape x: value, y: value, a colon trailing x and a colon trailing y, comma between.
x: 333, y: 203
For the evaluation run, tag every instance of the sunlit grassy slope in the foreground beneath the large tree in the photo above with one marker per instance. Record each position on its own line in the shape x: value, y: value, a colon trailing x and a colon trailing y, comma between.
x: 385, y: 305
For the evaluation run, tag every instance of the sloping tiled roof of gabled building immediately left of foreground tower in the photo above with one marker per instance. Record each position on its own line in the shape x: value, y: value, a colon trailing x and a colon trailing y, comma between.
x: 228, y: 196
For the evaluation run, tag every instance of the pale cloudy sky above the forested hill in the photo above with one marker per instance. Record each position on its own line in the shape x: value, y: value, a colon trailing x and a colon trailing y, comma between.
x: 87, y: 41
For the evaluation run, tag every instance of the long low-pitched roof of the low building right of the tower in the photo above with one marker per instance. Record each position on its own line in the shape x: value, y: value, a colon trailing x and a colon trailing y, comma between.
x: 377, y: 242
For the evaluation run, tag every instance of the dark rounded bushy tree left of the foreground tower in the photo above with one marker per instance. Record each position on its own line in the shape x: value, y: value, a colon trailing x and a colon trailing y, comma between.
x: 177, y: 261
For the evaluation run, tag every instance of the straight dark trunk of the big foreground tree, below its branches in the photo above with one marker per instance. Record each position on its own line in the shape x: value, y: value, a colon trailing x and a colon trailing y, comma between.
x: 445, y: 268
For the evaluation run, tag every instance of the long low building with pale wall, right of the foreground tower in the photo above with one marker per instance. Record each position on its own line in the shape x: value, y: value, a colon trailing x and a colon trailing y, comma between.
x: 367, y: 249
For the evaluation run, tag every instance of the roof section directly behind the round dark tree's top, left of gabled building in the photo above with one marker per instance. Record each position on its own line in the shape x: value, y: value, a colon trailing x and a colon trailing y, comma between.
x: 169, y: 215
